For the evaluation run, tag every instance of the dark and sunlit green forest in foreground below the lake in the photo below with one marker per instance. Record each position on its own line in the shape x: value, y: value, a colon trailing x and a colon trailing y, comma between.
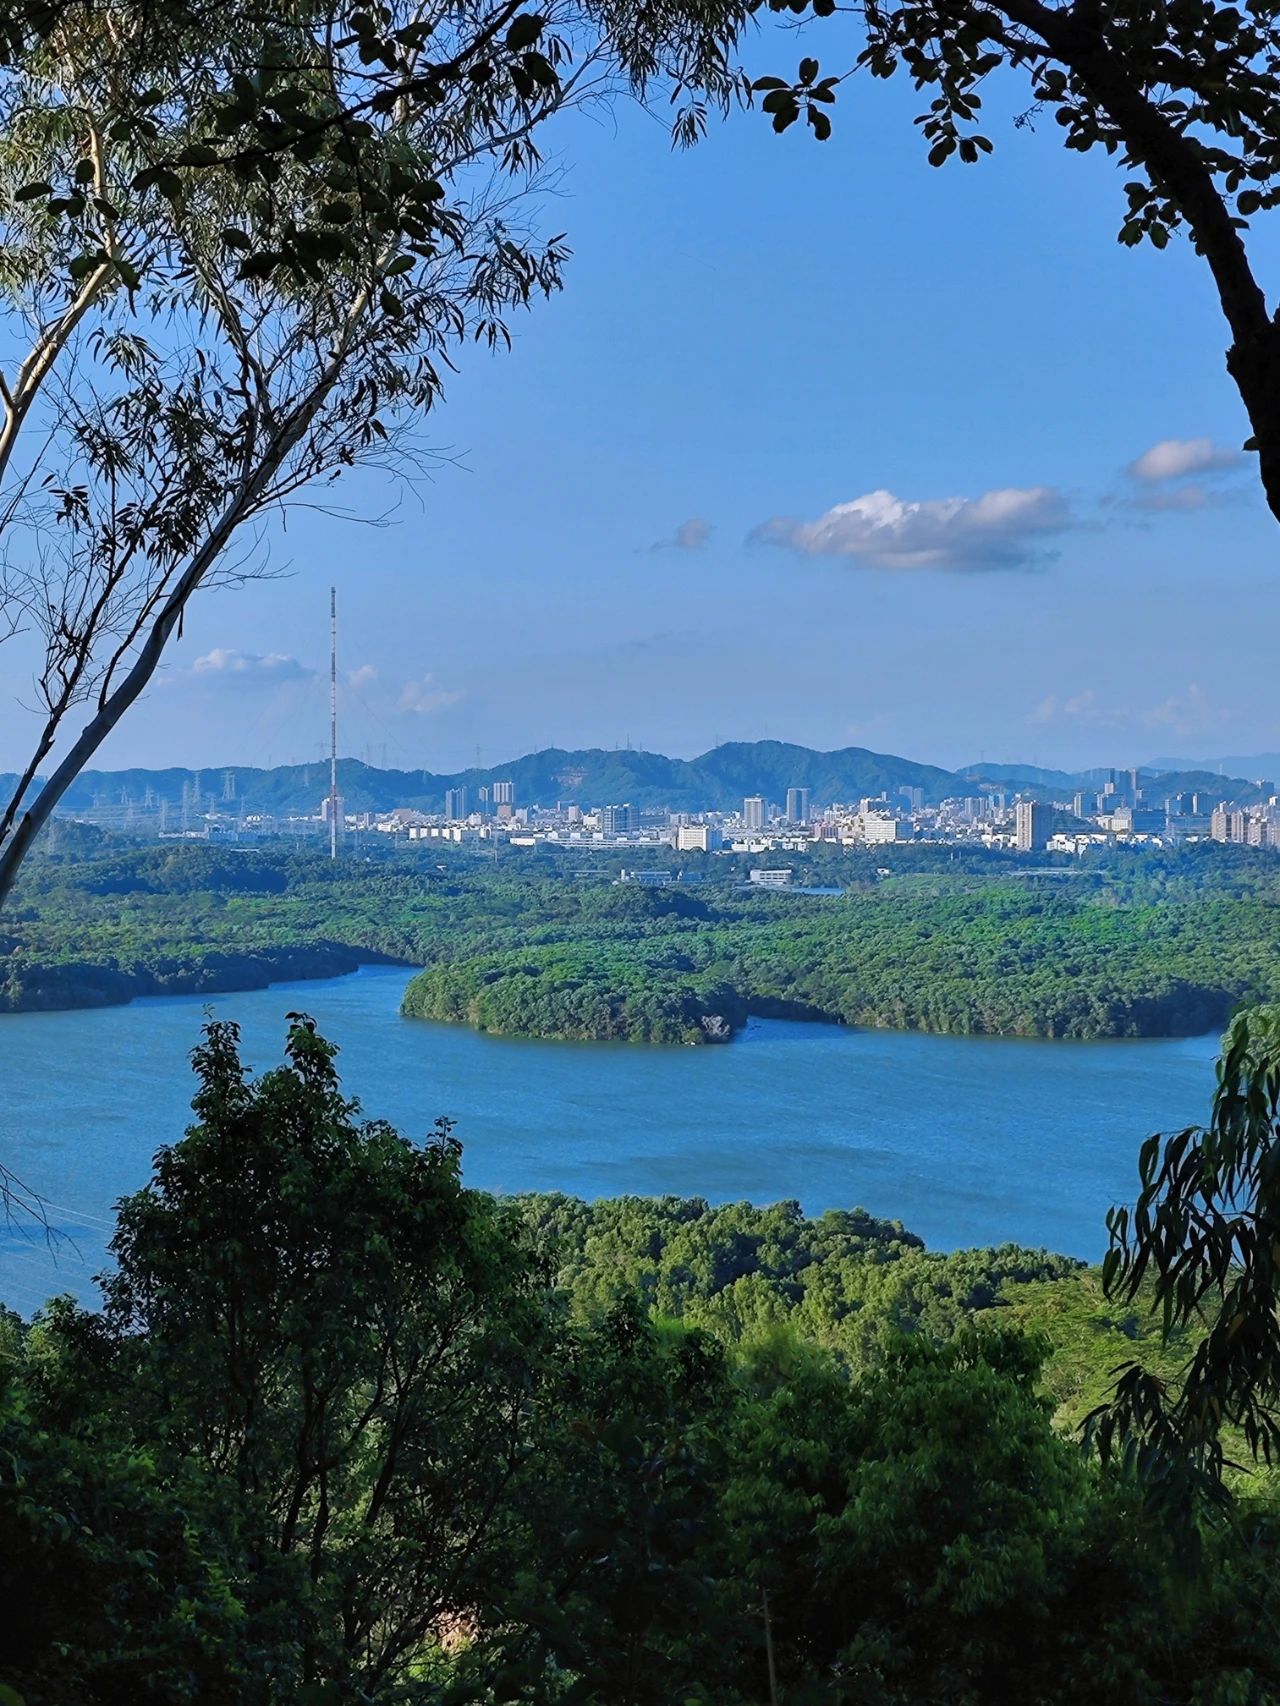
x: 349, y: 1432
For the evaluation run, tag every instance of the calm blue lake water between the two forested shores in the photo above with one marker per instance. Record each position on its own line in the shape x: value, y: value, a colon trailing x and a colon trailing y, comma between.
x: 965, y: 1140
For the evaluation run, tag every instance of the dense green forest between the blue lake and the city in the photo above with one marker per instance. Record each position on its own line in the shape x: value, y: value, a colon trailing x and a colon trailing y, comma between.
x: 1136, y: 944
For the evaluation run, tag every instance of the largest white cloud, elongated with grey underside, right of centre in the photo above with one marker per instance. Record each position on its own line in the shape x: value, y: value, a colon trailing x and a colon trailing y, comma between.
x: 1001, y: 530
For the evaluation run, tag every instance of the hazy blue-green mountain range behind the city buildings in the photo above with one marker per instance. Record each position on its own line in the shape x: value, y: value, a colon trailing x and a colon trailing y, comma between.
x: 719, y: 780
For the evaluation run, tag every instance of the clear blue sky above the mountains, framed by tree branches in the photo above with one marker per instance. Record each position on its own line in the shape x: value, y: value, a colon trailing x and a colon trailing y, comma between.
x: 655, y: 526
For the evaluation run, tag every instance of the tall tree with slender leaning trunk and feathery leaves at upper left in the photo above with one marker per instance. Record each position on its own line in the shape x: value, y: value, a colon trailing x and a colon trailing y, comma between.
x: 243, y: 247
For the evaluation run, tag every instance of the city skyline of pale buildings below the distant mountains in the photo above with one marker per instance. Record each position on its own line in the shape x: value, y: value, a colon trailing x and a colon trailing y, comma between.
x: 1131, y: 806
